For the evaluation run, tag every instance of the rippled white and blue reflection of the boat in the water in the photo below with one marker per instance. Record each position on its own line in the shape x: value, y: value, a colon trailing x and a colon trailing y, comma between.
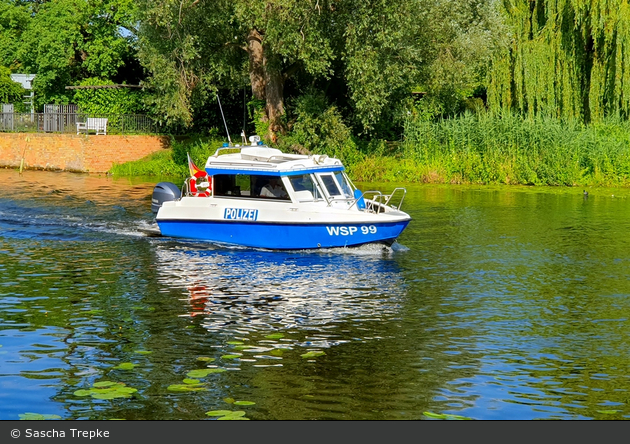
x: 239, y: 291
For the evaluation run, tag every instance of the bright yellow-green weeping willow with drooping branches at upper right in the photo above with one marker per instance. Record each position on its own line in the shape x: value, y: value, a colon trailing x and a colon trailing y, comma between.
x: 564, y: 58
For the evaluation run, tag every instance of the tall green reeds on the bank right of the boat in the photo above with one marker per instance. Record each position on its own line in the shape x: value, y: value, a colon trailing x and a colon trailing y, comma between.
x: 508, y: 149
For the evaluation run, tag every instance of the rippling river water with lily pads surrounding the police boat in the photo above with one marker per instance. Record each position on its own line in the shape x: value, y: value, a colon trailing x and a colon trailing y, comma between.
x: 495, y: 303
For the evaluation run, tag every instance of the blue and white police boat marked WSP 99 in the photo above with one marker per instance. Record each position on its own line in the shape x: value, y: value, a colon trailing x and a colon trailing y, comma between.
x: 257, y: 196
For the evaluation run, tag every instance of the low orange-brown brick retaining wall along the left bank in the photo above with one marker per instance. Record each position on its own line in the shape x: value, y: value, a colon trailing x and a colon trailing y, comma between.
x: 70, y: 152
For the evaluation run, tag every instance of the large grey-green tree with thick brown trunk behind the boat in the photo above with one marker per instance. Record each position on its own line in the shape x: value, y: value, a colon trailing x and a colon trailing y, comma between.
x: 192, y: 47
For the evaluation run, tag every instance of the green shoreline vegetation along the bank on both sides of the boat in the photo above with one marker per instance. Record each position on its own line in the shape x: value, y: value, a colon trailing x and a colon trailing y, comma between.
x: 481, y: 148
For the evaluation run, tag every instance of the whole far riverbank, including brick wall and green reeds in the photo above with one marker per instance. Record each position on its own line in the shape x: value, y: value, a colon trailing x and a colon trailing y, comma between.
x: 472, y: 149
